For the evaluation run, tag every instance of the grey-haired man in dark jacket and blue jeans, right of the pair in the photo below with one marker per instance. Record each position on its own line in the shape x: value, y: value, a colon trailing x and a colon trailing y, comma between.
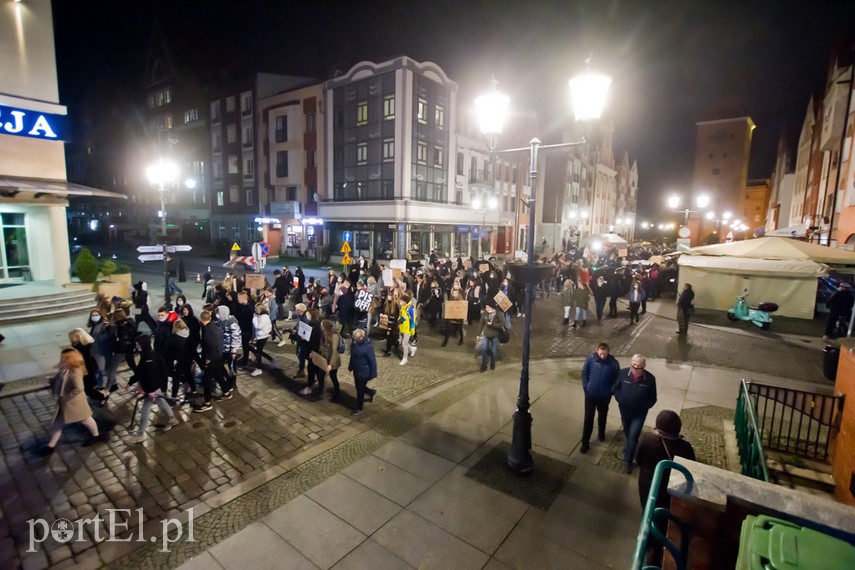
x: 635, y: 393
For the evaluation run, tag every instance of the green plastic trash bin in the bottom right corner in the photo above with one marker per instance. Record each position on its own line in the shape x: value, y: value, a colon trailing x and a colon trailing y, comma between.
x: 767, y: 543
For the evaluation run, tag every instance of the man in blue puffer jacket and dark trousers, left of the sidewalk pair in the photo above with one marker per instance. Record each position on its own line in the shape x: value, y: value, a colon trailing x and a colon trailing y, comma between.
x: 598, y: 376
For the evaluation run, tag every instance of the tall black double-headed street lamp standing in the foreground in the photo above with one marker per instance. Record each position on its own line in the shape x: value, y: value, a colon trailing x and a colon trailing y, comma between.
x: 588, y: 94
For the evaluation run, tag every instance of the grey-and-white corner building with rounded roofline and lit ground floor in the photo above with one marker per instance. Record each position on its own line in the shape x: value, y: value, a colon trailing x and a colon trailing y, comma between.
x: 391, y: 151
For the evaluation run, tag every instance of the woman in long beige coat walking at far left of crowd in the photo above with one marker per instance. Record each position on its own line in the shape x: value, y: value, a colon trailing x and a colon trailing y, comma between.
x: 71, y: 404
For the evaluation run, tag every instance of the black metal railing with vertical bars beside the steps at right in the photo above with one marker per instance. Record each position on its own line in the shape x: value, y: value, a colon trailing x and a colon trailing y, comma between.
x: 794, y: 421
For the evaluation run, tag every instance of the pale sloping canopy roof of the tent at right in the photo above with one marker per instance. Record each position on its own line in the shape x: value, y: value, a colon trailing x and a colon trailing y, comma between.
x: 778, y: 248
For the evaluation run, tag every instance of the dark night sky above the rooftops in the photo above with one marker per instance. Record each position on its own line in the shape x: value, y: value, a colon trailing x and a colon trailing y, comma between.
x: 673, y: 62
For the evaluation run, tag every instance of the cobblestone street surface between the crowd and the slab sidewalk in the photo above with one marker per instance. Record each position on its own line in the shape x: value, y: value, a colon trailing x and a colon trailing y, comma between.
x: 268, y: 424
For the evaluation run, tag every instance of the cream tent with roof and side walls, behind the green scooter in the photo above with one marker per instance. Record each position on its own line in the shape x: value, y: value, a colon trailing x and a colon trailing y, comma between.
x: 781, y: 270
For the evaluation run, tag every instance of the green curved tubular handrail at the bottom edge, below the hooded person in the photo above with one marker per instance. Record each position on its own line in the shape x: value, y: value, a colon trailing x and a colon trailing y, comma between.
x: 654, y: 522
